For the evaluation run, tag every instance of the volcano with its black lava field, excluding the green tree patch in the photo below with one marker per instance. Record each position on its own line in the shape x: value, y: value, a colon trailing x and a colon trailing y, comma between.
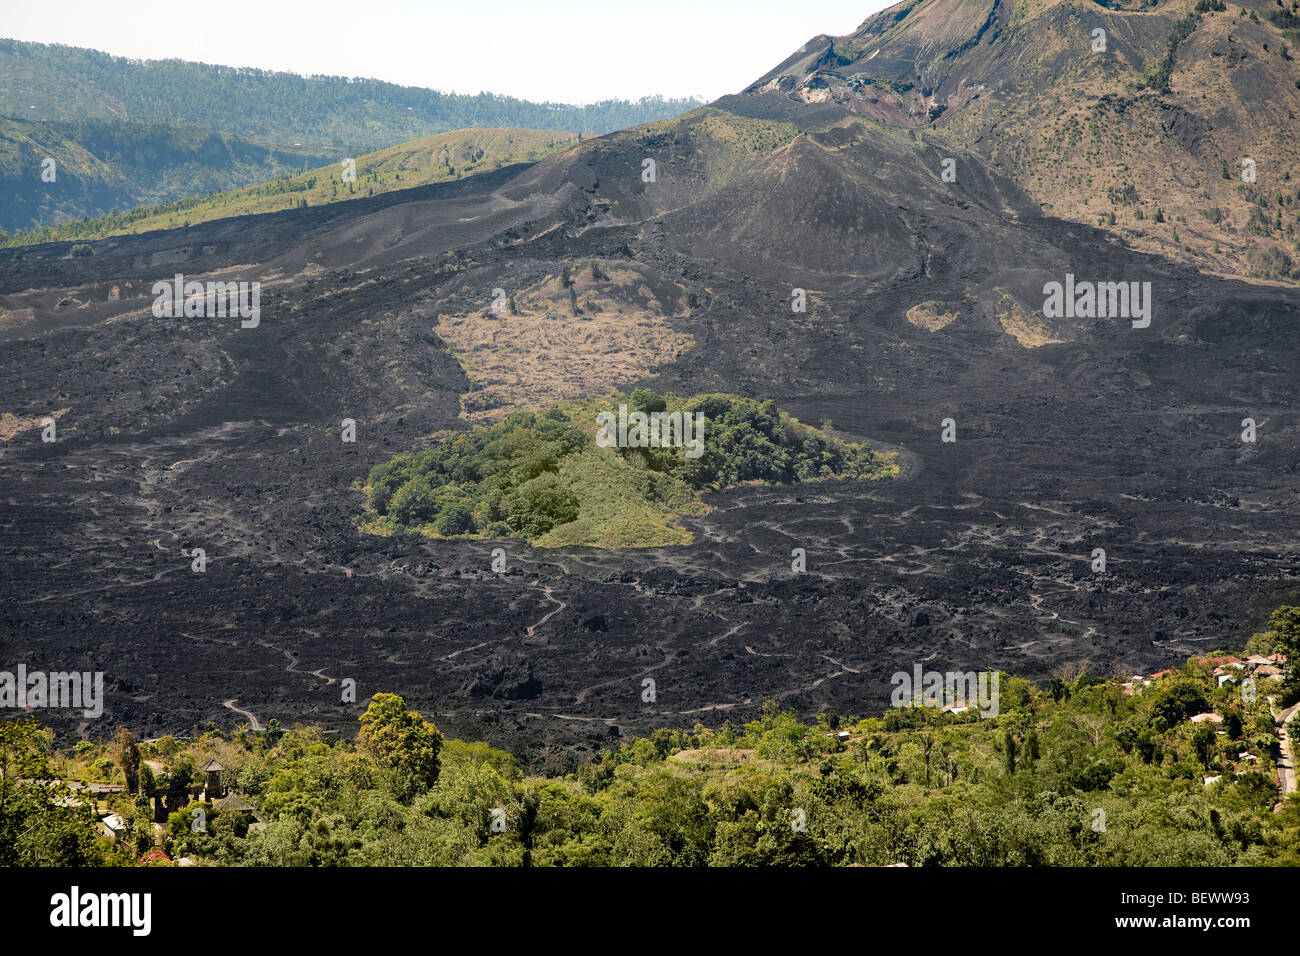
x: 921, y: 184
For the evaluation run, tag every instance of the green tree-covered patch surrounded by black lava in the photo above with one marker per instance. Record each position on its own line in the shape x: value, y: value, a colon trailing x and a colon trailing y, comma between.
x: 545, y: 478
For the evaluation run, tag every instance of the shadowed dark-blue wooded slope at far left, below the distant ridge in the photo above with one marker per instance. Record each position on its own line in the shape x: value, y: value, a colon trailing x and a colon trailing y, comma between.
x: 102, y: 166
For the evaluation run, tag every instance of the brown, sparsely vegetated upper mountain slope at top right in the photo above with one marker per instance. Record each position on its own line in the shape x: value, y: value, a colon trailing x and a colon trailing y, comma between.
x: 1147, y: 139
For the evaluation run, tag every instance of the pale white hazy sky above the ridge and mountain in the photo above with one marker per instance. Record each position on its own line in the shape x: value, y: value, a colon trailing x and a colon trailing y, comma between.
x: 573, y: 51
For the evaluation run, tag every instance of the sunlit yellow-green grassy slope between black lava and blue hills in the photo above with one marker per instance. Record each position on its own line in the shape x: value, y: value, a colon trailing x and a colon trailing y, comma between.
x: 431, y: 159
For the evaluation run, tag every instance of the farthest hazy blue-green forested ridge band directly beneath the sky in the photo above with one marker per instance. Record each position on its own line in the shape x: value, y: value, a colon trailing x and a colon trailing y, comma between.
x: 57, y: 83
